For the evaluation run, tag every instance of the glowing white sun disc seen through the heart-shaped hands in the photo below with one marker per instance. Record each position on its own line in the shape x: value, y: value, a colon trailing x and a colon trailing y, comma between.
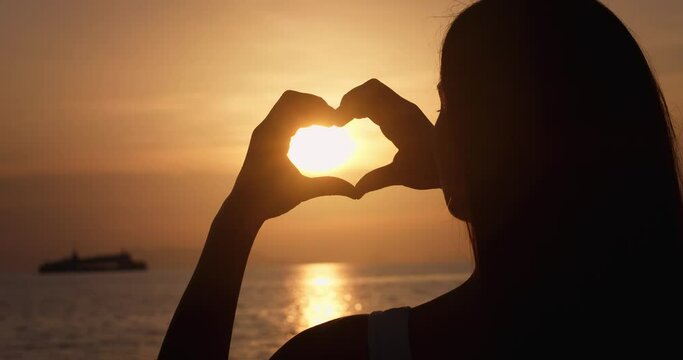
x: 316, y: 150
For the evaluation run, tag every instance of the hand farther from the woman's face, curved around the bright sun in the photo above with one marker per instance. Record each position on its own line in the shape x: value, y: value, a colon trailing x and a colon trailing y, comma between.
x: 269, y: 185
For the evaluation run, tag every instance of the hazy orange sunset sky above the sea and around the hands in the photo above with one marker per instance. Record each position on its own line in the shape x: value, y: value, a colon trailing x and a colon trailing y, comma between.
x: 123, y: 123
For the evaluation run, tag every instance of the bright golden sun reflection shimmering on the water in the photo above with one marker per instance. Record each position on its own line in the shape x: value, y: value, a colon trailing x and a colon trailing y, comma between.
x: 322, y: 297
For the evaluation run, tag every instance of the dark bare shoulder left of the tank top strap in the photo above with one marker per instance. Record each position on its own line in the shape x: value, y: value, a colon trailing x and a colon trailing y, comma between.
x: 343, y: 338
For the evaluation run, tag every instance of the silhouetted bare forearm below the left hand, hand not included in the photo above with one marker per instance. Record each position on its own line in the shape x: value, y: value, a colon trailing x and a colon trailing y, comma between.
x: 202, y: 325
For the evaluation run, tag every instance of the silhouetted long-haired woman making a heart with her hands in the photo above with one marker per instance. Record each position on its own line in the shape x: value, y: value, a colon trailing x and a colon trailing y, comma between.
x: 553, y: 143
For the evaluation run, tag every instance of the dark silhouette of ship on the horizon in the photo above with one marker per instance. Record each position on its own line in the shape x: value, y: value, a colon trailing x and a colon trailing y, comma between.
x: 115, y: 262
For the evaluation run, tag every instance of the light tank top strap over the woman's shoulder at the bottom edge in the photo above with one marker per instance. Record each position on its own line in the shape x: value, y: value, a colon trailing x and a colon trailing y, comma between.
x: 388, y: 334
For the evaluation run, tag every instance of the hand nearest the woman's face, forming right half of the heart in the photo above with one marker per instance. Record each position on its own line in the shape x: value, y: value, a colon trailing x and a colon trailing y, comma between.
x: 404, y: 124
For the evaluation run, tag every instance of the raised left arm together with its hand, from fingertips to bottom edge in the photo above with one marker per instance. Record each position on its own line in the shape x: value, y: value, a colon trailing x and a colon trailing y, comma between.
x: 268, y: 186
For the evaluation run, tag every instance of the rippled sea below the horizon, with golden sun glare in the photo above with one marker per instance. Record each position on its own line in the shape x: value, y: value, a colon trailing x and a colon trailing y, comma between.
x: 124, y: 315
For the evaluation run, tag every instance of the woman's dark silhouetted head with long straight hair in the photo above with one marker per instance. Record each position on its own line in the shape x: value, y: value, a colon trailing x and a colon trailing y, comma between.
x: 555, y: 145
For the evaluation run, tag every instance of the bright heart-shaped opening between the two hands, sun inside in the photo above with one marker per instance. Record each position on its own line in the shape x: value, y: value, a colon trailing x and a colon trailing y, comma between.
x: 348, y: 152
